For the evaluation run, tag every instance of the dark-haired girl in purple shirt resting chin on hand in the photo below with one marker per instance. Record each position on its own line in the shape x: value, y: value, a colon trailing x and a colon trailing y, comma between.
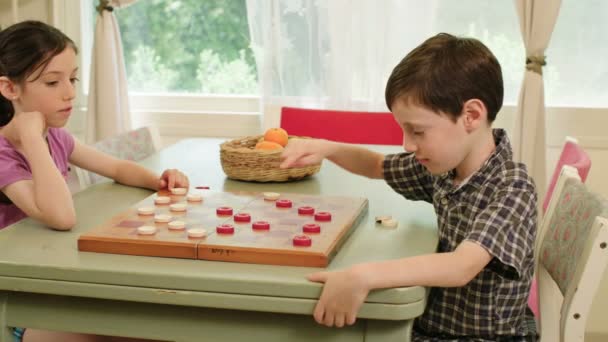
x: 37, y: 86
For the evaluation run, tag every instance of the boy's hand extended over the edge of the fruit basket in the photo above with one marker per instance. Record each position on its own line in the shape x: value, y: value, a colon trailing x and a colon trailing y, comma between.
x: 303, y: 152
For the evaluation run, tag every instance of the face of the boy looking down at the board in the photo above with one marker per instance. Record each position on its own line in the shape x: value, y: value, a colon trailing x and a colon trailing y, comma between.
x: 438, y: 143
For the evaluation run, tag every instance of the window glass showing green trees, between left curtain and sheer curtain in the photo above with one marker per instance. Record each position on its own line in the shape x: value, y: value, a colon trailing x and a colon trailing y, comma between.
x: 188, y: 46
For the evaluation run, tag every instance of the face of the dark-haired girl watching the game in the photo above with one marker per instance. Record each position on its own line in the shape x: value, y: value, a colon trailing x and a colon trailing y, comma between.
x: 51, y: 90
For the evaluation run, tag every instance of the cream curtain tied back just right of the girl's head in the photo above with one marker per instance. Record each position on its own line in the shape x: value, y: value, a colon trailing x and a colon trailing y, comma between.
x: 108, y: 102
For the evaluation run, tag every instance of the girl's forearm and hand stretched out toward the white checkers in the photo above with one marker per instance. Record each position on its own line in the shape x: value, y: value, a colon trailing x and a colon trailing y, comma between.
x: 125, y: 171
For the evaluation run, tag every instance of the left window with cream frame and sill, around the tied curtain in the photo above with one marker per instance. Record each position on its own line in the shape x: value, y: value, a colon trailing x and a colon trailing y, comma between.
x: 165, y: 90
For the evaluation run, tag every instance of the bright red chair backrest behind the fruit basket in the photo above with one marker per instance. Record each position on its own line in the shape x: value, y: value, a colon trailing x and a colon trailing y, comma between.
x: 350, y: 127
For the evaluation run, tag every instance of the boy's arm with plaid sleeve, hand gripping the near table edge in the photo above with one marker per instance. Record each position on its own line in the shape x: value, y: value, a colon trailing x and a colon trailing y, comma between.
x: 504, y: 231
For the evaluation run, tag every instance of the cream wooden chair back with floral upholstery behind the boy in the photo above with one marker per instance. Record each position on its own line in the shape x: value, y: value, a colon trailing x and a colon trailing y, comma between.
x: 572, y: 257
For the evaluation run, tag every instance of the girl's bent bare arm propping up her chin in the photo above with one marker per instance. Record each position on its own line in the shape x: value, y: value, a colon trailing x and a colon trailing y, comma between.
x: 46, y: 197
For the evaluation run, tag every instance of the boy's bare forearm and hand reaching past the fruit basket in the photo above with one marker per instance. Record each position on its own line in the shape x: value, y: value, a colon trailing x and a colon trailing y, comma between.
x: 358, y: 160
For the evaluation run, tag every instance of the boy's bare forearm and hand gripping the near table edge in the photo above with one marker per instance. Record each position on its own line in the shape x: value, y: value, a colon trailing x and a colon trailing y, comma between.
x: 345, y: 291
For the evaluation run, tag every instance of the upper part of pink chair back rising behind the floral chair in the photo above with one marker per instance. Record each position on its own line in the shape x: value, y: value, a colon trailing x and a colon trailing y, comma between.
x: 573, y: 155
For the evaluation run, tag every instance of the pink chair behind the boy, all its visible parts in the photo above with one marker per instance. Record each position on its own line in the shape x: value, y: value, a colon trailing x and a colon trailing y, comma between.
x: 573, y: 155
